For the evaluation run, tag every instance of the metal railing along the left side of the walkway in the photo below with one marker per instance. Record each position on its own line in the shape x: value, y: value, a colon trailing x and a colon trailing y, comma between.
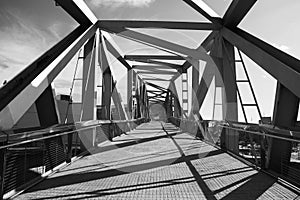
x: 27, y: 157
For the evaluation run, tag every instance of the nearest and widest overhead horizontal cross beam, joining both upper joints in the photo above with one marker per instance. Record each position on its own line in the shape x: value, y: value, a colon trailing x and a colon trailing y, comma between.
x: 160, y: 24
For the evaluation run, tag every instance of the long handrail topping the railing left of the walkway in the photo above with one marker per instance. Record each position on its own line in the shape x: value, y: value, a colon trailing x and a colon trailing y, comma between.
x: 79, y: 126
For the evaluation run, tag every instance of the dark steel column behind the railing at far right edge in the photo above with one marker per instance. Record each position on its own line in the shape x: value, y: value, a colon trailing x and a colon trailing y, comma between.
x: 285, y: 116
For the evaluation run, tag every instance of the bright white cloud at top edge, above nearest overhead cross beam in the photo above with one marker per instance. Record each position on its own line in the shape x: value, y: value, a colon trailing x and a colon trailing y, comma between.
x: 120, y: 3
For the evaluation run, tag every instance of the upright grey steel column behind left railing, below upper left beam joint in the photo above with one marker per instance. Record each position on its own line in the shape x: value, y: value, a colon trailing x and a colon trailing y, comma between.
x: 88, y: 109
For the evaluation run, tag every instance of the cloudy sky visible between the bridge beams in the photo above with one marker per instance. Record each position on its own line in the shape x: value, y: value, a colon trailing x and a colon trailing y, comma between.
x: 30, y: 27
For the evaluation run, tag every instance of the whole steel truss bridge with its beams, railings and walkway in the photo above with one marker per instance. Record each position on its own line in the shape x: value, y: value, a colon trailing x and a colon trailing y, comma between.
x: 153, y: 112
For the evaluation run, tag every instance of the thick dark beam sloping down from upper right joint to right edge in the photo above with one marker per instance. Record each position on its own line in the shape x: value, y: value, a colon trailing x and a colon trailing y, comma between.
x: 283, y: 67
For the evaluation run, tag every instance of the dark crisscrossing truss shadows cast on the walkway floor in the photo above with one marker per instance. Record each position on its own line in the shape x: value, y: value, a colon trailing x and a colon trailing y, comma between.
x: 253, y: 185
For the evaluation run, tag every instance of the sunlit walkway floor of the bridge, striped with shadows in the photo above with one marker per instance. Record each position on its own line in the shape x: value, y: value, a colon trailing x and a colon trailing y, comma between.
x: 158, y: 161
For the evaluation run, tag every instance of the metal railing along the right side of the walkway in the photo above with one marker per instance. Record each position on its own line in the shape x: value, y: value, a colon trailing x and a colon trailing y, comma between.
x: 254, y: 142
